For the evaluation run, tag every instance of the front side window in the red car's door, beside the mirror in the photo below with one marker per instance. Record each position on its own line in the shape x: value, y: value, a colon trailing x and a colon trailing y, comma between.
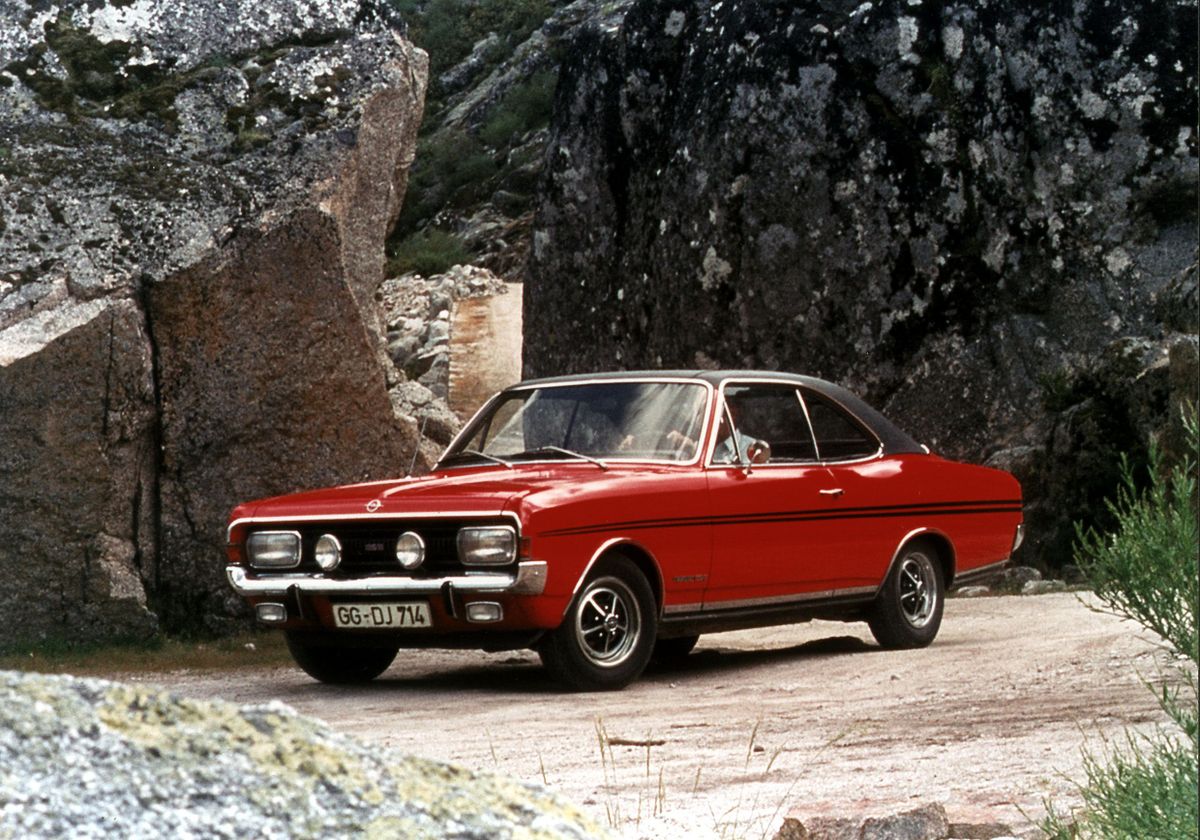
x: 773, y: 415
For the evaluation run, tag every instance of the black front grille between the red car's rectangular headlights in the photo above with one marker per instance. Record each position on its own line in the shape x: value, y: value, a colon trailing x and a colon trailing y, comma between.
x: 369, y: 548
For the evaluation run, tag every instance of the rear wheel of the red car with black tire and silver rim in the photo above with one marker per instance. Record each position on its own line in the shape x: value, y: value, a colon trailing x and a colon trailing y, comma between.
x: 908, y: 611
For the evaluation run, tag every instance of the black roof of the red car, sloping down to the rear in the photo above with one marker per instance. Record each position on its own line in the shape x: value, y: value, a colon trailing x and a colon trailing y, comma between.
x: 893, y: 439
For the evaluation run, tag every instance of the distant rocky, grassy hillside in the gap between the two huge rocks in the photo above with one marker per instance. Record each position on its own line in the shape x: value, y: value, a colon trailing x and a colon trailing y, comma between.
x: 485, y: 129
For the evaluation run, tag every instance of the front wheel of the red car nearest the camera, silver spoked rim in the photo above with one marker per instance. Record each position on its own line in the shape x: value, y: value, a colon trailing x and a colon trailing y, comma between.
x: 608, y: 635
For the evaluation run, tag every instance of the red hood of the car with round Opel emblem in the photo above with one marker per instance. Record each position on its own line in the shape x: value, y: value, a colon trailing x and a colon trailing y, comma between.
x: 487, y: 490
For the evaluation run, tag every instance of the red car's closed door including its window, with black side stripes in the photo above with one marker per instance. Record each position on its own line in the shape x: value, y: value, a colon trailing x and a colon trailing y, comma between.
x: 770, y: 527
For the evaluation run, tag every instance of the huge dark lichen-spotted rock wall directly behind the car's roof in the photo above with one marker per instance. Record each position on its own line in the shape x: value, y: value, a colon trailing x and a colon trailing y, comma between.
x: 982, y: 218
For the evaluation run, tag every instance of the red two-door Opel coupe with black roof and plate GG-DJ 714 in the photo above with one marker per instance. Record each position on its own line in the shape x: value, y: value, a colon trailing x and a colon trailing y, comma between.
x: 611, y: 519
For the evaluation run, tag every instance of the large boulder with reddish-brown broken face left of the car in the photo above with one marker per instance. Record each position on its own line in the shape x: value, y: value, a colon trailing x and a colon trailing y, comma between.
x: 193, y: 212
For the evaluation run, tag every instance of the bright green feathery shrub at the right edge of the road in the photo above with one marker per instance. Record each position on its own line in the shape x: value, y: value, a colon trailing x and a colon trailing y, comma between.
x: 1147, y: 571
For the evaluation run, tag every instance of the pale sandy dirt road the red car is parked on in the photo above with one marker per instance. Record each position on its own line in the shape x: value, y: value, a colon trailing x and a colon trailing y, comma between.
x: 808, y: 721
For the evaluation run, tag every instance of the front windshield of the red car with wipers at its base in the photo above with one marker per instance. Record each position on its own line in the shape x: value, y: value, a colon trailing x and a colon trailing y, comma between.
x: 611, y: 421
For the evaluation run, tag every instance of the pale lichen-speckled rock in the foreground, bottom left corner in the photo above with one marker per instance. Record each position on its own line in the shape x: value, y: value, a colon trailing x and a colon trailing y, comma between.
x: 85, y: 758
